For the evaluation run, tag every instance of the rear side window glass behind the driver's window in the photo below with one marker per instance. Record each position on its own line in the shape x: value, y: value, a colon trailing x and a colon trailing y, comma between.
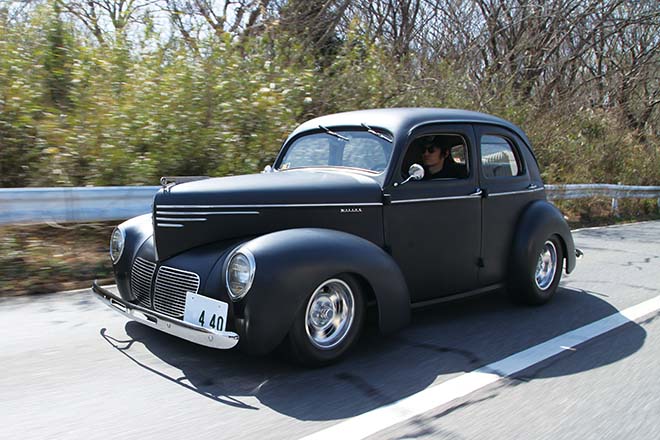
x: 498, y: 157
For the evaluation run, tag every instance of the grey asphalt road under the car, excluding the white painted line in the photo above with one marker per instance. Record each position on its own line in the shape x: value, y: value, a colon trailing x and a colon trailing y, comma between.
x: 72, y: 368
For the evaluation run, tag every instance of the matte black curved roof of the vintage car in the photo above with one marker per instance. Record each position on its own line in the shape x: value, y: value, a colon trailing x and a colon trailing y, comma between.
x: 399, y: 121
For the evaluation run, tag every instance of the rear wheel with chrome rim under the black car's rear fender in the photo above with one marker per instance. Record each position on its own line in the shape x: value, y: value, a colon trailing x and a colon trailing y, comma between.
x: 537, y: 282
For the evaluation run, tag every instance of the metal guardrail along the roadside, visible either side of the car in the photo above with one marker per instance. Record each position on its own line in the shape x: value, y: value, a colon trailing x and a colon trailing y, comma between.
x: 89, y: 204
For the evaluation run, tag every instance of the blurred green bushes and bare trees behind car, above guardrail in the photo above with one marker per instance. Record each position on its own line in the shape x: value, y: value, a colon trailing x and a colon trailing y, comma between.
x: 121, y: 92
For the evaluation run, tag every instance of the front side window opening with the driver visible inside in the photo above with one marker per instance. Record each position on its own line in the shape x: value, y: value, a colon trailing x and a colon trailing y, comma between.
x: 443, y: 156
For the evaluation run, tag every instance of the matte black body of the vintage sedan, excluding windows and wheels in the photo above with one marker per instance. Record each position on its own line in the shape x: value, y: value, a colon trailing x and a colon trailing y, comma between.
x: 404, y: 243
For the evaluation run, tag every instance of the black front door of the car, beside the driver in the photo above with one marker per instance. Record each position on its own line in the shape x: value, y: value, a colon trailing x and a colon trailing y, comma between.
x: 433, y: 228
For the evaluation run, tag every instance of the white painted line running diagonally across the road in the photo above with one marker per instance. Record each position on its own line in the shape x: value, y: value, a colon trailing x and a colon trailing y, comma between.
x: 369, y: 423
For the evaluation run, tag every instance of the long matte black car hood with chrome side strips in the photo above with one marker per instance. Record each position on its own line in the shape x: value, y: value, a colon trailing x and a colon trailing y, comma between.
x: 192, y: 214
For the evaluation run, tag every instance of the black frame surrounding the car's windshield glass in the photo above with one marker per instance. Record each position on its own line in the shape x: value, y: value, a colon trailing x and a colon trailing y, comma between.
x: 337, y: 129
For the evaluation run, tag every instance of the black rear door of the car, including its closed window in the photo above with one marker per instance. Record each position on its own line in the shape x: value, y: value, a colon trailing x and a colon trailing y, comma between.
x: 508, y: 189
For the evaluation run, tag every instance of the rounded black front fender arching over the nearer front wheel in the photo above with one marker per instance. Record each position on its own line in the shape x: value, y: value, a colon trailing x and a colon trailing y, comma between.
x: 290, y: 264
